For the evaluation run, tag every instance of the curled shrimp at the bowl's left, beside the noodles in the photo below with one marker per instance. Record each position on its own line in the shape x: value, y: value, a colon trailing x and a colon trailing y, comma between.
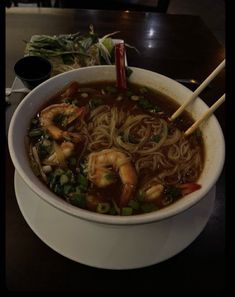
x: 70, y: 111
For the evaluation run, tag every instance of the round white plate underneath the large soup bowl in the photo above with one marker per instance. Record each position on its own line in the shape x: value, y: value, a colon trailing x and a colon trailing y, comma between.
x: 75, y: 238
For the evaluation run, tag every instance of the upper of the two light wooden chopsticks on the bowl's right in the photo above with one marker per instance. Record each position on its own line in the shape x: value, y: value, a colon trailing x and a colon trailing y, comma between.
x: 202, y: 86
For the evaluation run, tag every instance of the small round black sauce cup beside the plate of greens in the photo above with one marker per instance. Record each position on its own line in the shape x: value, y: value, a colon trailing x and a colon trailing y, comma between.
x: 33, y: 70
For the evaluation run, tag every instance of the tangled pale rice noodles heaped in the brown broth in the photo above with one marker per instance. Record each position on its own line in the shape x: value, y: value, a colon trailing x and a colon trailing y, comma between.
x: 113, y: 127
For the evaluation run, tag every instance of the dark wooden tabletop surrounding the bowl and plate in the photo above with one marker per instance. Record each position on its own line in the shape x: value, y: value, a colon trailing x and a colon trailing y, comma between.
x: 178, y: 46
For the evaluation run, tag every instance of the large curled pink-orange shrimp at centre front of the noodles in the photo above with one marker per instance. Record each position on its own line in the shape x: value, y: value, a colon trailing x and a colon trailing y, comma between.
x: 100, y: 174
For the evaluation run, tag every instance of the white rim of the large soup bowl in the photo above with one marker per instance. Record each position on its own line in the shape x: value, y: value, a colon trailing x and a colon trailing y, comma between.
x: 69, y: 209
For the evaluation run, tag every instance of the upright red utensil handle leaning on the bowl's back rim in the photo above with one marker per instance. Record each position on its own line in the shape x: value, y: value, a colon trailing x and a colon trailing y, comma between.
x: 120, y: 66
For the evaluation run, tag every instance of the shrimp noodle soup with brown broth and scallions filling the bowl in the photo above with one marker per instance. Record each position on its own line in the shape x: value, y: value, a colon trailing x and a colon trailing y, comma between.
x: 115, y: 152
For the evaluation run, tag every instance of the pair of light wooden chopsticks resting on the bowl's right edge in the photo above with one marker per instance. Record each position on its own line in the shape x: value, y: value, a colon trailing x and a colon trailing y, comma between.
x: 203, y: 85
